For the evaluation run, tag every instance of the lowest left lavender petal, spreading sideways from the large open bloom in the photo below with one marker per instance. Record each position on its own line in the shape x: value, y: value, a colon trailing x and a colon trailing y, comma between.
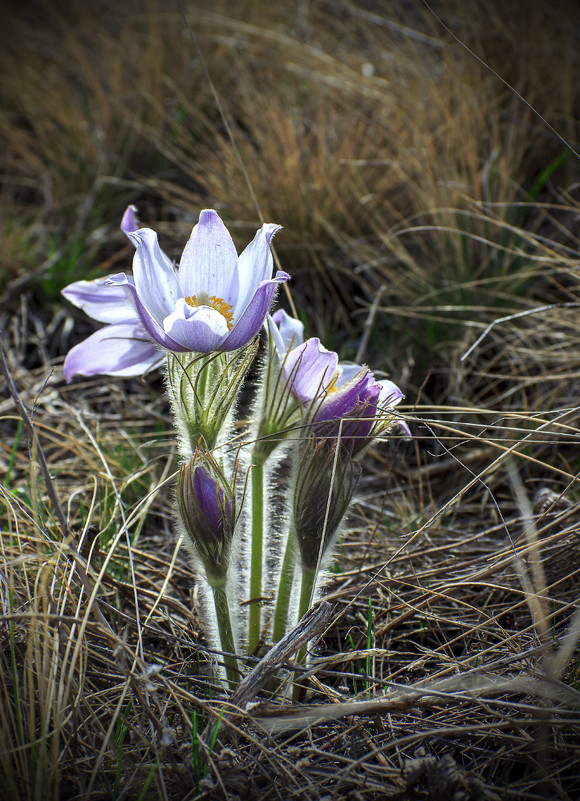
x: 113, y: 350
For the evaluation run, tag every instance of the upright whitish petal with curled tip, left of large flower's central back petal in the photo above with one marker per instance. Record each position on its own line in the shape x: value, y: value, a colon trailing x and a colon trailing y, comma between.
x: 154, y: 275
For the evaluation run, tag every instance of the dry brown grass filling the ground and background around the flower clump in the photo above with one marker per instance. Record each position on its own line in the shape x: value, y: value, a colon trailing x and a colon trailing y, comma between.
x: 412, y: 183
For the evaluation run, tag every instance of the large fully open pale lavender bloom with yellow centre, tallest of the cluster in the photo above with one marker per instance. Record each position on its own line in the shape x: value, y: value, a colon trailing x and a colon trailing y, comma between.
x: 215, y: 301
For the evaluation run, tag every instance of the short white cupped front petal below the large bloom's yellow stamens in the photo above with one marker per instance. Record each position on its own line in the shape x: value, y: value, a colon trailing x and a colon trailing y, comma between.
x: 199, y: 328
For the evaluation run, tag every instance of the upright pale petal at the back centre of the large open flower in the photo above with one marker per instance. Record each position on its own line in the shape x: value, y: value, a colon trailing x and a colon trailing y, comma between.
x: 209, y: 260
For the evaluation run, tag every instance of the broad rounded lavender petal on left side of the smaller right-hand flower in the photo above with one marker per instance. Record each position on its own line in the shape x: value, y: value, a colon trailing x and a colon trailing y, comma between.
x: 310, y: 369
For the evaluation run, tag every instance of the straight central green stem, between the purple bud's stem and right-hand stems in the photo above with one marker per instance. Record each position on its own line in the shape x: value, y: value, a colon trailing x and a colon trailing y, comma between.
x: 256, y: 558
